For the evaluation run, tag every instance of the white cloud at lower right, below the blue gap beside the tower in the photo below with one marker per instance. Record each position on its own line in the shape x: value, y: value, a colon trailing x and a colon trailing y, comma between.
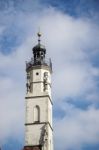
x: 77, y: 128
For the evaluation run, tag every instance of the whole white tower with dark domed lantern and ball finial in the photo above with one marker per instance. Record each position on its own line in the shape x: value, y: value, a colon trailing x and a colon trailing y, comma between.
x: 38, y: 101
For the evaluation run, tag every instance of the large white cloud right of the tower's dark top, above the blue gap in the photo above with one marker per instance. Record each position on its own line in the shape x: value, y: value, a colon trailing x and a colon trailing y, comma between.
x: 70, y: 43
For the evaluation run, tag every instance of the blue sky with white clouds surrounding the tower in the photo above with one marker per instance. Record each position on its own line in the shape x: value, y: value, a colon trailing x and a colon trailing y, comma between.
x: 71, y: 35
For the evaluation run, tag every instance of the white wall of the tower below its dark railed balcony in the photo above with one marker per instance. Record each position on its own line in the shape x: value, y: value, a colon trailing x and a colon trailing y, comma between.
x: 38, y: 116
